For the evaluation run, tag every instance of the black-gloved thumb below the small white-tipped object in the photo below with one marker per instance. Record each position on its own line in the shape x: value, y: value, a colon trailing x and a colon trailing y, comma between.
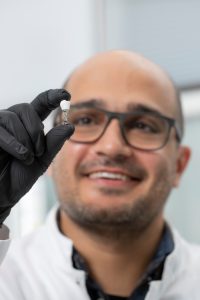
x: 55, y: 139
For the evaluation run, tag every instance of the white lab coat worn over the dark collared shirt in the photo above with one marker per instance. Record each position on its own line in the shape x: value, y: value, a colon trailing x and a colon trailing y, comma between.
x: 39, y: 267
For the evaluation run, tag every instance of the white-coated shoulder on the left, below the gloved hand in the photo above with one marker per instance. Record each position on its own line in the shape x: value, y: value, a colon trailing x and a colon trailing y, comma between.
x: 40, y: 265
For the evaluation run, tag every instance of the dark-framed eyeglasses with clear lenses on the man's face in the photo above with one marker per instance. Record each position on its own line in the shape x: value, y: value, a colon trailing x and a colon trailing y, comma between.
x: 142, y: 130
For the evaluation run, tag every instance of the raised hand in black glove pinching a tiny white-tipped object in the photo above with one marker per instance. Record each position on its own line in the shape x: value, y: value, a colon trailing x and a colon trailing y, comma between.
x: 25, y: 152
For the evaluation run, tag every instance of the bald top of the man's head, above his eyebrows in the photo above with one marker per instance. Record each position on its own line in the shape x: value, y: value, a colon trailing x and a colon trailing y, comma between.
x: 132, y: 71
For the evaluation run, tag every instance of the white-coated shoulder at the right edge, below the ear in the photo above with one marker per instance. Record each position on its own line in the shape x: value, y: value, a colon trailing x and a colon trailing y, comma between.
x: 181, y: 274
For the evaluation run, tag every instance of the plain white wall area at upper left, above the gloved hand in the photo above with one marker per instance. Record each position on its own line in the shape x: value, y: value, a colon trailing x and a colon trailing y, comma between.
x: 41, y: 41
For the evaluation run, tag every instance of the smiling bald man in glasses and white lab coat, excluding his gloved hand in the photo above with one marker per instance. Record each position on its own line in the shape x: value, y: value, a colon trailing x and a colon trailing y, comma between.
x: 108, y: 238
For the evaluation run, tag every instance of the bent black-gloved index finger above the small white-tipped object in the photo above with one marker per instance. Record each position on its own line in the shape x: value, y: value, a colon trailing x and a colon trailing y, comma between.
x: 47, y: 101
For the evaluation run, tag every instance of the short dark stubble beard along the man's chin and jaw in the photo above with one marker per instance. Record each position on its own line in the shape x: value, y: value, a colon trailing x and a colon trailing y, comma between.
x: 123, y: 220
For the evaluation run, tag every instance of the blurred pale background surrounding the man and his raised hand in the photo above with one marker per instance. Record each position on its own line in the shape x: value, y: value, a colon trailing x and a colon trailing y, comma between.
x: 41, y: 43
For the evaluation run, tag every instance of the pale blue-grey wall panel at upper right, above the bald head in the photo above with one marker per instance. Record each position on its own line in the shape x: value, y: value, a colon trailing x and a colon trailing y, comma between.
x: 164, y: 31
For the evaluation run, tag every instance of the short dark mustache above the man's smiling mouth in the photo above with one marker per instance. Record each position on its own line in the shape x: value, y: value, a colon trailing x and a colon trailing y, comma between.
x: 133, y: 169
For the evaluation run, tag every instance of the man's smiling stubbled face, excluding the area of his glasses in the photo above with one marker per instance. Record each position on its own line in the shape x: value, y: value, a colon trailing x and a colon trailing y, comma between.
x: 109, y: 183
